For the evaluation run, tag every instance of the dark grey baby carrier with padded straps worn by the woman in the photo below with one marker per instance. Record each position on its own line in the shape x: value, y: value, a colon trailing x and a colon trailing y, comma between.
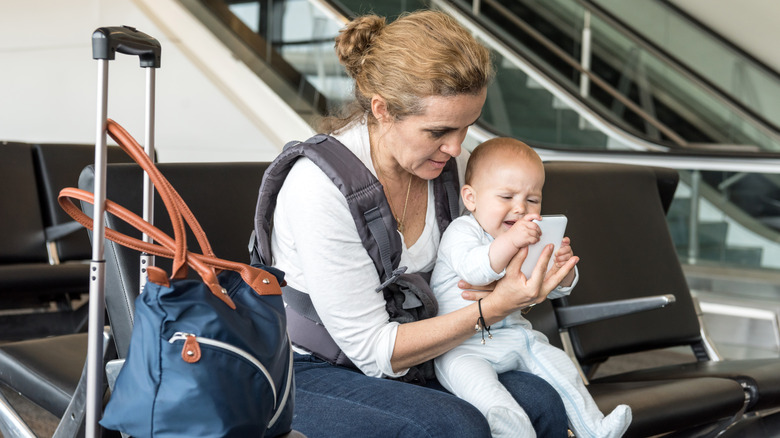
x: 408, y: 296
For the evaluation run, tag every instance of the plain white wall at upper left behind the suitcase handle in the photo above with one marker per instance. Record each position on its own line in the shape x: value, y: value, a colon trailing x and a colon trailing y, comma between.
x: 206, y: 111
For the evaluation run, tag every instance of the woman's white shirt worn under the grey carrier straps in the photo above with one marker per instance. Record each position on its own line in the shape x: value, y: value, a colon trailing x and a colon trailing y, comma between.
x: 315, y: 242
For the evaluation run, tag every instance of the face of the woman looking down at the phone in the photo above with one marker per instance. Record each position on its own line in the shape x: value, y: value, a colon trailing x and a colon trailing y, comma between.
x: 422, y: 144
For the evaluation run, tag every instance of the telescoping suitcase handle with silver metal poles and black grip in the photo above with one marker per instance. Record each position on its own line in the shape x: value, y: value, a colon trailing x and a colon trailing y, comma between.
x: 106, y: 42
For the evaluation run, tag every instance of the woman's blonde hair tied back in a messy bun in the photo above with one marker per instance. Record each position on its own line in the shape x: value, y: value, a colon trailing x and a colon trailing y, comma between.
x: 421, y: 54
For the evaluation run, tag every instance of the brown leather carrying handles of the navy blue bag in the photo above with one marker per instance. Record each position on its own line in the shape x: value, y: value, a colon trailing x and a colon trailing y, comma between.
x: 205, y: 264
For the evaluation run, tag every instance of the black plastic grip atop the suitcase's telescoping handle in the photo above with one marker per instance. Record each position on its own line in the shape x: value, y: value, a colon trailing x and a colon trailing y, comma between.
x: 106, y: 41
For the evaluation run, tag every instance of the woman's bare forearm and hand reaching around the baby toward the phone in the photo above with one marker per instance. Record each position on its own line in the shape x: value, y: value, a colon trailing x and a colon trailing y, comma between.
x: 423, y: 340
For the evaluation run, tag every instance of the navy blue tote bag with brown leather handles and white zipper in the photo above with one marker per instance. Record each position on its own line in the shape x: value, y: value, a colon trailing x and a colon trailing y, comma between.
x: 207, y: 357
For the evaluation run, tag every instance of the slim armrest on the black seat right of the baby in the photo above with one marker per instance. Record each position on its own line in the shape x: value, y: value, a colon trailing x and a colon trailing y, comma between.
x: 572, y: 316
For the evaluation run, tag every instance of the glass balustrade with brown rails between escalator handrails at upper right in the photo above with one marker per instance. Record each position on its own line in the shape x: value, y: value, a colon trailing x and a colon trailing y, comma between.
x: 625, y: 79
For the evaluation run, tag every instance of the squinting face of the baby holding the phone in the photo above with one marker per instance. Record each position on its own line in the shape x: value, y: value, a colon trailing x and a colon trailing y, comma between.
x: 504, y: 192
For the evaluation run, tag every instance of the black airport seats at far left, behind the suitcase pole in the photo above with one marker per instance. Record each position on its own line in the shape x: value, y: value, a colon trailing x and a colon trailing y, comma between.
x: 44, y: 255
